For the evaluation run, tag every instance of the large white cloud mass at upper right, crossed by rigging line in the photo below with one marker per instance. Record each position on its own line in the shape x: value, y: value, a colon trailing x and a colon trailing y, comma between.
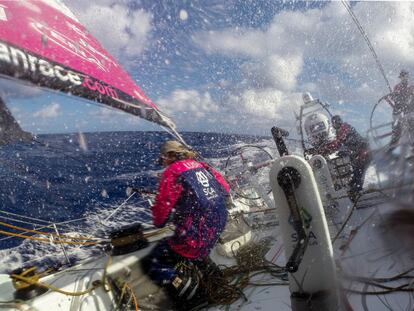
x: 317, y: 50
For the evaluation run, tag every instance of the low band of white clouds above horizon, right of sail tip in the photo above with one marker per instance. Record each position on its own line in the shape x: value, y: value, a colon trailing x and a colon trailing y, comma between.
x: 249, y: 111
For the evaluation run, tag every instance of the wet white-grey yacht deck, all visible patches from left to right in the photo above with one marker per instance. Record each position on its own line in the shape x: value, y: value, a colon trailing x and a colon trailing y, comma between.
x: 366, y: 254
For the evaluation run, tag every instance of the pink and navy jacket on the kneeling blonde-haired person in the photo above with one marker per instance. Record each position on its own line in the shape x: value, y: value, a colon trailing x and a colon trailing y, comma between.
x: 193, y: 196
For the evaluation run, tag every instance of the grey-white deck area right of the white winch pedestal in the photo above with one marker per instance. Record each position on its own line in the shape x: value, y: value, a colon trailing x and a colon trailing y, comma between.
x: 374, y: 260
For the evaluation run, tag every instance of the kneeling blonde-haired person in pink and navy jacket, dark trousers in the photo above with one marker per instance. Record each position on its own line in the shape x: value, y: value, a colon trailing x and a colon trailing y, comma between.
x: 193, y: 197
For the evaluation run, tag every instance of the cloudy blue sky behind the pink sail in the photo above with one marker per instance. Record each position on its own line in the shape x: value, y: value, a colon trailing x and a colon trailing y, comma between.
x: 236, y: 66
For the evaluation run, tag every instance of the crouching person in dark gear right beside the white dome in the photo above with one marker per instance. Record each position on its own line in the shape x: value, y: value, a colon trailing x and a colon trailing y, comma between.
x: 351, y: 142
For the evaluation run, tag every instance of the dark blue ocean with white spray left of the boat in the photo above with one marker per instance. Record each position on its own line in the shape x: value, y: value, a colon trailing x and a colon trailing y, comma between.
x: 79, y: 181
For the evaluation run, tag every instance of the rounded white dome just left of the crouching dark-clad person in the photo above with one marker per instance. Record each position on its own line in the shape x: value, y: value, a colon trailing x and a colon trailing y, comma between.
x: 318, y: 129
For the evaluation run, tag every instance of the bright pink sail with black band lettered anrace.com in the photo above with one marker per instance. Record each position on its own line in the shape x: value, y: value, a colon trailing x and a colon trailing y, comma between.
x: 42, y: 43
